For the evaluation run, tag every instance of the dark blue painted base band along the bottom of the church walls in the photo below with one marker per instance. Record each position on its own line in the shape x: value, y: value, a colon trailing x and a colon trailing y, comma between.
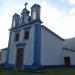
x: 36, y: 66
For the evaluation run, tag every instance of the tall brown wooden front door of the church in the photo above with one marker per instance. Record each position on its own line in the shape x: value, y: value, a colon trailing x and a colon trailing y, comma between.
x: 19, y: 58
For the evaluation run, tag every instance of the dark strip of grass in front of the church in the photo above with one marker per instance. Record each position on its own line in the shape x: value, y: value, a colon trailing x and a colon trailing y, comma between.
x: 57, y: 71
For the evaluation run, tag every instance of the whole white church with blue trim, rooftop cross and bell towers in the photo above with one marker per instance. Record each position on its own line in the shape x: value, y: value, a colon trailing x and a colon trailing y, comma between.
x: 33, y: 46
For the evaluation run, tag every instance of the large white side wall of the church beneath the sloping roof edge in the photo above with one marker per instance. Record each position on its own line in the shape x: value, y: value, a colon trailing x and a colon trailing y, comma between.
x: 51, y: 49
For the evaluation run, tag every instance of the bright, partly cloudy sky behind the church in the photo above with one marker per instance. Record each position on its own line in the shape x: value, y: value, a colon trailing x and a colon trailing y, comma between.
x: 57, y: 15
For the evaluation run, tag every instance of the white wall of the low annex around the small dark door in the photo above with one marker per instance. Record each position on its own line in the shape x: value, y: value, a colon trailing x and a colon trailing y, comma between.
x: 70, y: 54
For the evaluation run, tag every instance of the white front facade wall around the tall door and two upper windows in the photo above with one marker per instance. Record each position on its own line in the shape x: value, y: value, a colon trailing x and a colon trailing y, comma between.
x: 28, y: 48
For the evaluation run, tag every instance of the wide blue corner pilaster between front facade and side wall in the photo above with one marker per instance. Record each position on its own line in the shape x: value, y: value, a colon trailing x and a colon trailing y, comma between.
x: 37, y: 45
